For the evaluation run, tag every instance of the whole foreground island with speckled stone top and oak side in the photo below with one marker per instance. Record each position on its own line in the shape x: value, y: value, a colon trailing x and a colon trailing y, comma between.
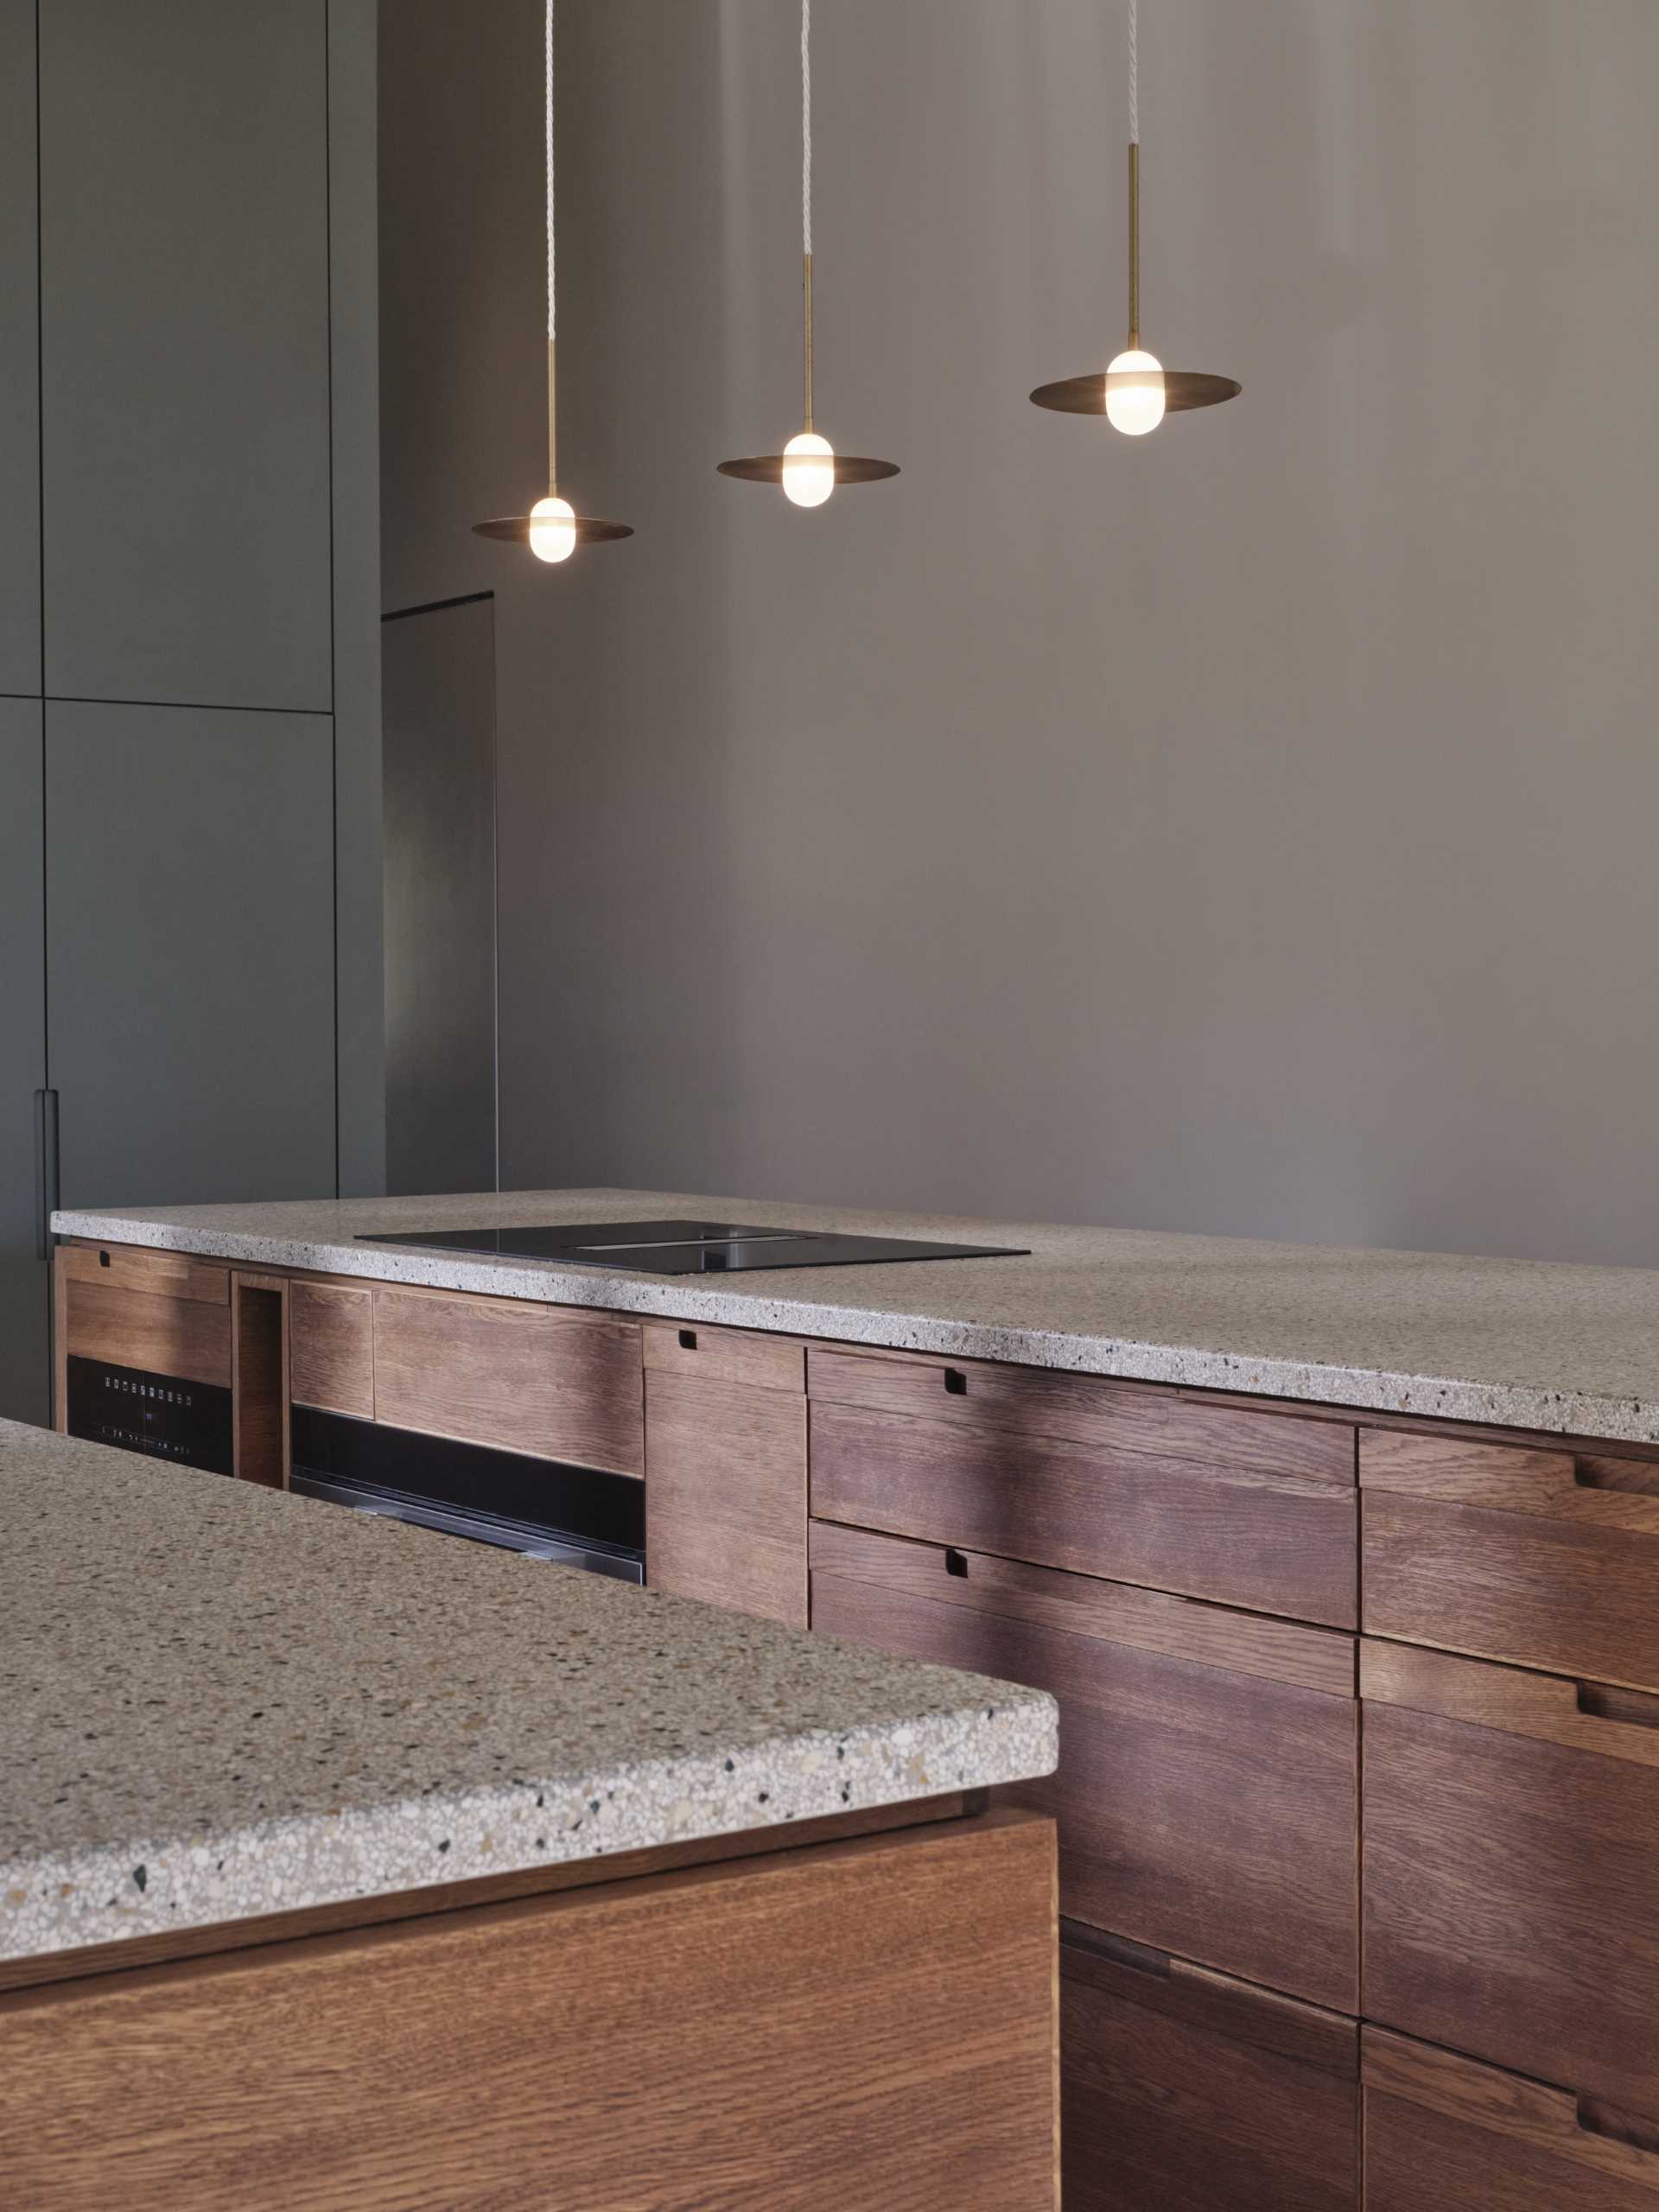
x: 346, y: 1864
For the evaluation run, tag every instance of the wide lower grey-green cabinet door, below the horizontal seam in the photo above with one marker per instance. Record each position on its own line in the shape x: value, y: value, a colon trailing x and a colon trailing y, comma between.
x: 191, y: 954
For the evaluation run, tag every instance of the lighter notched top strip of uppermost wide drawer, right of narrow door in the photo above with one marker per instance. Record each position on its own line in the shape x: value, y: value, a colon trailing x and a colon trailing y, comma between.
x: 1087, y: 1410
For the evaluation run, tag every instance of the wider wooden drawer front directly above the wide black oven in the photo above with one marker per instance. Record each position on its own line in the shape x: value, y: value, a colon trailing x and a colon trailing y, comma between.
x: 514, y: 1375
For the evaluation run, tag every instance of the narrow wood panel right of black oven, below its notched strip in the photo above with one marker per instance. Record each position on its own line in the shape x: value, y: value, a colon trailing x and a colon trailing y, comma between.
x: 727, y: 1494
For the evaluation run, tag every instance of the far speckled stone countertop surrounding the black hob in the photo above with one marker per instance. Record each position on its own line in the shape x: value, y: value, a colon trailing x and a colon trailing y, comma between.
x: 1519, y: 1344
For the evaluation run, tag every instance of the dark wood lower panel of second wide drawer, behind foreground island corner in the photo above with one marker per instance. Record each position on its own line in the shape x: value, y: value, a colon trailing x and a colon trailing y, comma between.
x: 1200, y: 1811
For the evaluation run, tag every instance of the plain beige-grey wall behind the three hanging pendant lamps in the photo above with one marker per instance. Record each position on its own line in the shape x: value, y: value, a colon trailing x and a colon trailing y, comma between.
x: 1249, y: 828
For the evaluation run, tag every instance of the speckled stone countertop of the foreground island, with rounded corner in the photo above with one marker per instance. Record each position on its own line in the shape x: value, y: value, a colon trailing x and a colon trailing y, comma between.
x: 222, y: 1702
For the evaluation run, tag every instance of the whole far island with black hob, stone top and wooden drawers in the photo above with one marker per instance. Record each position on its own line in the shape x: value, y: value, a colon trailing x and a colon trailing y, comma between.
x: 1229, y: 1501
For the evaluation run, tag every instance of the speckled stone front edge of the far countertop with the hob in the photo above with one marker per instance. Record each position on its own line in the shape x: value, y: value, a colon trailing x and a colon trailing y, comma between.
x: 1507, y: 1406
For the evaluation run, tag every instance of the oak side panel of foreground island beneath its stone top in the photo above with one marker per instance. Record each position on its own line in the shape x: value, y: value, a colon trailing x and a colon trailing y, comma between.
x: 870, y: 2023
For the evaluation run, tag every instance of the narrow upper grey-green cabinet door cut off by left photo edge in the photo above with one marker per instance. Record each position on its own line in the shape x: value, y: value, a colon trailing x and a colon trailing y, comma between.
x: 19, y: 357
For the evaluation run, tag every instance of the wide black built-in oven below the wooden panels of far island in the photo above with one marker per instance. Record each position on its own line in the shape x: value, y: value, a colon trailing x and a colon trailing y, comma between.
x: 578, y: 1516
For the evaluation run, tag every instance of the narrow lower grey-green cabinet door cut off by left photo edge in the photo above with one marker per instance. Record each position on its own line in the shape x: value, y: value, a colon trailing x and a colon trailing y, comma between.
x: 23, y: 1052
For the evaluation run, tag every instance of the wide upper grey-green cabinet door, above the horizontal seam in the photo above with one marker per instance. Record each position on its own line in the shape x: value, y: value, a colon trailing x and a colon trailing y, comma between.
x: 185, y: 351
